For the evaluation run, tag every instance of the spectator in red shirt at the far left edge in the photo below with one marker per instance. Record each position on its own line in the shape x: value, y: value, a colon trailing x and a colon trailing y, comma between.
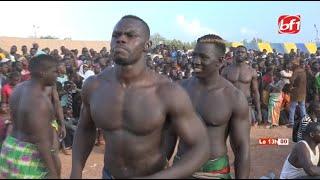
x: 7, y: 89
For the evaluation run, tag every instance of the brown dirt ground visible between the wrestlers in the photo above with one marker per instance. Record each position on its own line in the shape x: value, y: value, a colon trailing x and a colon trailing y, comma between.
x: 264, y: 158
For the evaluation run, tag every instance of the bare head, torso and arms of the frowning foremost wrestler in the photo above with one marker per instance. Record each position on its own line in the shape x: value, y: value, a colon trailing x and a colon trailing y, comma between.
x: 135, y: 96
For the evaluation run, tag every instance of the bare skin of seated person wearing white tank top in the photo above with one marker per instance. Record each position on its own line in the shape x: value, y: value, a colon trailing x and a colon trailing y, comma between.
x: 300, y: 155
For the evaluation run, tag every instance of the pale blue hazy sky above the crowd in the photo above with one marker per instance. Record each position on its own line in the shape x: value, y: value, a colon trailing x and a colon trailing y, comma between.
x: 185, y: 21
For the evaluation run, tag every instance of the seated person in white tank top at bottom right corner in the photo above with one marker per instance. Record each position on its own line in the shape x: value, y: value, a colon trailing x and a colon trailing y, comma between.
x: 303, y: 161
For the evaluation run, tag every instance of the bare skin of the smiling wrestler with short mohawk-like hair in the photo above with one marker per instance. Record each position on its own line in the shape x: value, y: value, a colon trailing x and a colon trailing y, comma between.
x: 208, y: 90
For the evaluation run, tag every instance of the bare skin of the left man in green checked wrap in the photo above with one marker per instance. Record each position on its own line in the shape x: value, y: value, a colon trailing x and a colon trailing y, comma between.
x: 32, y: 124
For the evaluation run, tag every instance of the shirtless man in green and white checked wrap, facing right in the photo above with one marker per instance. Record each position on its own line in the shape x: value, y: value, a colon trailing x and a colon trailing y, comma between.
x: 29, y: 151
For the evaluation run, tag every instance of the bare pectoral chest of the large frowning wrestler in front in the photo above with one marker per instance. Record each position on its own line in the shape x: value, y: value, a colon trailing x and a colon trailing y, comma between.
x: 137, y: 110
